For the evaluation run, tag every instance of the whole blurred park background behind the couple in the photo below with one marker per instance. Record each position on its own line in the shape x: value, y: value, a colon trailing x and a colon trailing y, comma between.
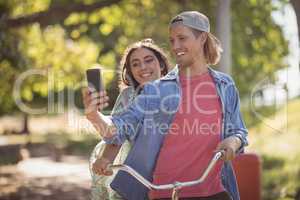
x: 46, y: 46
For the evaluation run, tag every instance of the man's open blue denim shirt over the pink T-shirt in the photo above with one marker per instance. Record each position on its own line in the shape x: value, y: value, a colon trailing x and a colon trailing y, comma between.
x: 147, y: 120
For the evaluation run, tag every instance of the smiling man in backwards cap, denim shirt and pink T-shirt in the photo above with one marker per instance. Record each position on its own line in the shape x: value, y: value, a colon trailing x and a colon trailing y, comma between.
x: 180, y: 120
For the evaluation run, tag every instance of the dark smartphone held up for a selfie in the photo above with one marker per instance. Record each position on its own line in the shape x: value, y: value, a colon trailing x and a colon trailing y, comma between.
x: 94, y: 79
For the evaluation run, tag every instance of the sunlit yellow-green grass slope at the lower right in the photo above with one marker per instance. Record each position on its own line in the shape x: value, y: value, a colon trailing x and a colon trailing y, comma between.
x: 276, y: 140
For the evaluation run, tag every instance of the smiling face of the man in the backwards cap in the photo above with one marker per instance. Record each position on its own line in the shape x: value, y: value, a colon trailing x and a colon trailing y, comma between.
x: 185, y: 46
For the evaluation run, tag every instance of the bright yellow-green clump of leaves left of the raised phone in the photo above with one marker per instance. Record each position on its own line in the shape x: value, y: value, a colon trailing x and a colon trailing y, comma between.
x: 63, y: 59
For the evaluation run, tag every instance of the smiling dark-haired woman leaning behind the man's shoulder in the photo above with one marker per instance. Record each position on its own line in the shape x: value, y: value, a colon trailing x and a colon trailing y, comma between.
x: 142, y: 62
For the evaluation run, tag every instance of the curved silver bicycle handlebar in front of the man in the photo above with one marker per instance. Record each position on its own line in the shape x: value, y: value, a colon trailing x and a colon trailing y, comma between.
x: 176, y: 186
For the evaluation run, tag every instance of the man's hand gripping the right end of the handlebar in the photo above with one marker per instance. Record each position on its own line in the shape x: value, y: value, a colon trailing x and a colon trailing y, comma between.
x: 230, y: 145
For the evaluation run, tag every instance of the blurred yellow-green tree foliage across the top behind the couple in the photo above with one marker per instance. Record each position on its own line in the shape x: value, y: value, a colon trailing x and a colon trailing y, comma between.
x: 64, y: 50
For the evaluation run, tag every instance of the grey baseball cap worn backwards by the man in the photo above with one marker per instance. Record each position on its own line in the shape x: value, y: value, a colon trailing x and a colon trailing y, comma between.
x: 193, y: 19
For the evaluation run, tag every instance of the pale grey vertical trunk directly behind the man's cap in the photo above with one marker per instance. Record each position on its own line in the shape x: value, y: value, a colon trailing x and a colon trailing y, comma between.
x: 223, y: 30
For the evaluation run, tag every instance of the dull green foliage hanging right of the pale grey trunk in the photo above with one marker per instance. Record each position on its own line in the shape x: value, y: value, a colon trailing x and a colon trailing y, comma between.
x: 258, y: 45
